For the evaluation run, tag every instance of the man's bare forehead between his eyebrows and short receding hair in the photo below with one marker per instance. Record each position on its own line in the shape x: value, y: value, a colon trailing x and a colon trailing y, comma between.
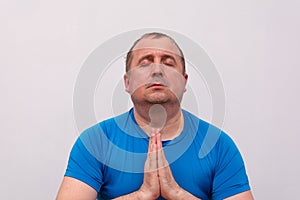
x: 162, y: 44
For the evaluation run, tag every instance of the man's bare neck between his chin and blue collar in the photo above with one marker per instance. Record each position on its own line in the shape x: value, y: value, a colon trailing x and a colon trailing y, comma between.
x: 173, y: 125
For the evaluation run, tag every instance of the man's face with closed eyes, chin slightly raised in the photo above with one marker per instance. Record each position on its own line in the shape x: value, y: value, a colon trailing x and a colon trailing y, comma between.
x: 156, y: 72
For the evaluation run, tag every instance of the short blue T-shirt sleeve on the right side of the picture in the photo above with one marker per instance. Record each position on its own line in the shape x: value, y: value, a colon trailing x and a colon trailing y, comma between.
x: 230, y: 173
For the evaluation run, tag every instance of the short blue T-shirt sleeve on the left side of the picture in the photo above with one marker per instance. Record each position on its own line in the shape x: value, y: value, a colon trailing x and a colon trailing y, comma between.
x: 83, y: 166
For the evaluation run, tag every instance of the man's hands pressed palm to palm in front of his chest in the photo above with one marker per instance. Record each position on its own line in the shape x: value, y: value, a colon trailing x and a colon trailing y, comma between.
x: 158, y: 178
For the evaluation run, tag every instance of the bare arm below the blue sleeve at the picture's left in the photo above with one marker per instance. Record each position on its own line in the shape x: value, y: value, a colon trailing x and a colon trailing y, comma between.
x: 73, y: 189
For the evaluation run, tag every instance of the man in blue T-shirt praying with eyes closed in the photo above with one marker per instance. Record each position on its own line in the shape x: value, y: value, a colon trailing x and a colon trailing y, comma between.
x: 152, y: 151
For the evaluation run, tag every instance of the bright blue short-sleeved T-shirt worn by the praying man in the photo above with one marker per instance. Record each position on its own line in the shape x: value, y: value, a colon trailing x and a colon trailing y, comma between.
x: 110, y: 157
